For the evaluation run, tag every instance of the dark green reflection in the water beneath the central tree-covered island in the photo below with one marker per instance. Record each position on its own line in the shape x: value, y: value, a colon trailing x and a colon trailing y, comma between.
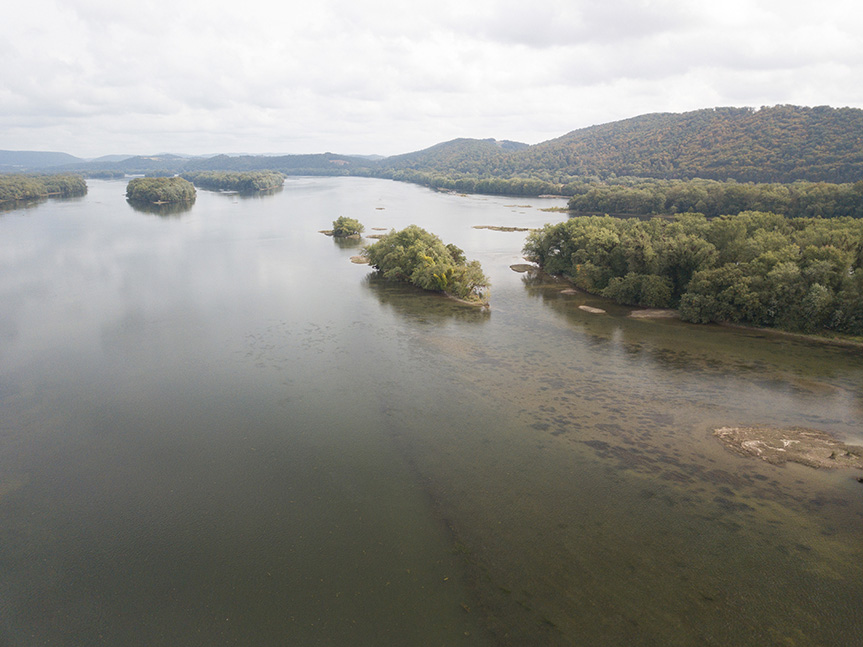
x: 420, y: 305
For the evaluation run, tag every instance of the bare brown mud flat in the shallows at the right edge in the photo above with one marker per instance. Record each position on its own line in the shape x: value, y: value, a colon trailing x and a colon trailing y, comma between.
x: 796, y: 444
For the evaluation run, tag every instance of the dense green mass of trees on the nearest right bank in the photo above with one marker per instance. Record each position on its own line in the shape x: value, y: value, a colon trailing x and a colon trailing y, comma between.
x: 760, y: 269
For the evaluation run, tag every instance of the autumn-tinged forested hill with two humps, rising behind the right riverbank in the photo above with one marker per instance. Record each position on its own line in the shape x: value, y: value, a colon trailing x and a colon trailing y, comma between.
x: 776, y: 144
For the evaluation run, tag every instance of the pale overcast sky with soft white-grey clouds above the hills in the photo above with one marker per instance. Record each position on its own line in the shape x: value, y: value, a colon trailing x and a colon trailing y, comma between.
x: 98, y: 77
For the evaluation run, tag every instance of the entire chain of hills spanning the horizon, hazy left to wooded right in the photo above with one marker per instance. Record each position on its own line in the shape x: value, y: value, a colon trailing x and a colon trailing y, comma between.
x: 771, y: 144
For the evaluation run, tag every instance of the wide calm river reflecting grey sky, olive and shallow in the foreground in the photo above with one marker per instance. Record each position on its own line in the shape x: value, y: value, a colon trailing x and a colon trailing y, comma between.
x: 217, y: 430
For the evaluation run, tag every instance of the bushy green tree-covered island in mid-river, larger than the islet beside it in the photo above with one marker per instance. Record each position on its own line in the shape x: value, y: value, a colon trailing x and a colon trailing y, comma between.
x: 418, y: 257
